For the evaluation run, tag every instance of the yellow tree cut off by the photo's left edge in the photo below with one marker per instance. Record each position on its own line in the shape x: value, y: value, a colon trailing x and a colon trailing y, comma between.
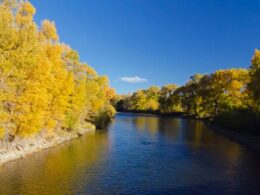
x: 8, y: 43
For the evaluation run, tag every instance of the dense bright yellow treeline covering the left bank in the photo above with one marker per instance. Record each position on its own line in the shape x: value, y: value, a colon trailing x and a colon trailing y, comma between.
x: 43, y: 84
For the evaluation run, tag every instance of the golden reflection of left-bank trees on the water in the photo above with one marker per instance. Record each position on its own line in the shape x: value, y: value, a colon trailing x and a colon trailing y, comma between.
x: 52, y: 172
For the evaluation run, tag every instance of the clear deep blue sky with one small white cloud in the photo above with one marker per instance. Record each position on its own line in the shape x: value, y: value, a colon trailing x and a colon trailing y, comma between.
x: 140, y: 43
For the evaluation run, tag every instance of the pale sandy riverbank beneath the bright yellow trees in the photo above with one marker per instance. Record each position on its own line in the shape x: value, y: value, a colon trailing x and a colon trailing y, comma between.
x: 20, y: 148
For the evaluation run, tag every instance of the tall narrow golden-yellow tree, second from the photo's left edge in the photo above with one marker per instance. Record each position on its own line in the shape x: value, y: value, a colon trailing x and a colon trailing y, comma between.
x: 28, y: 98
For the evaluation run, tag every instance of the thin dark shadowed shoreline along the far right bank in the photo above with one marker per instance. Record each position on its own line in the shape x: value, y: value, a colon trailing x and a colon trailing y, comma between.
x: 250, y: 141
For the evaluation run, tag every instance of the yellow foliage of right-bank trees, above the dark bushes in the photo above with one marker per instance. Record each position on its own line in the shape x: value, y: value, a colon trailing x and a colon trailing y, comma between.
x: 202, y: 95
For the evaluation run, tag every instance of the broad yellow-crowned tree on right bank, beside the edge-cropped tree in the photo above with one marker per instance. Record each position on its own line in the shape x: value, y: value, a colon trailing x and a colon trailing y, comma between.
x: 223, y: 89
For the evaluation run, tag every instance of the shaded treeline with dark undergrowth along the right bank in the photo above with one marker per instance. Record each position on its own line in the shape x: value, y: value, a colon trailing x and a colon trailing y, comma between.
x: 230, y: 97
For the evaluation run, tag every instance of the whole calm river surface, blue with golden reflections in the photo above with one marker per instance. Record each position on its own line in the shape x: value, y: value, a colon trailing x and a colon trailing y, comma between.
x: 138, y: 154
